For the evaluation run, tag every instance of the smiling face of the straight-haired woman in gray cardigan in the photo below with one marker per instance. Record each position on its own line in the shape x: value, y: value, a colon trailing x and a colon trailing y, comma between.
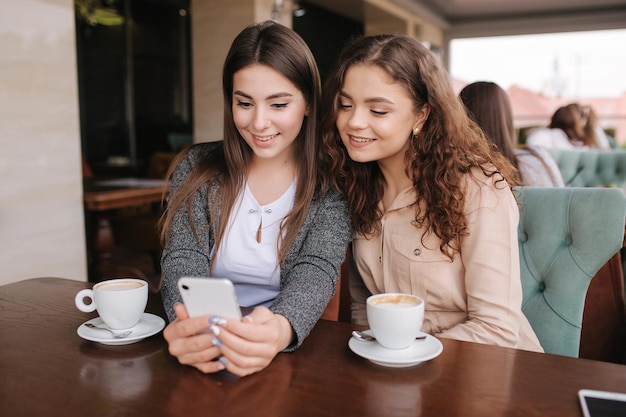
x: 268, y: 111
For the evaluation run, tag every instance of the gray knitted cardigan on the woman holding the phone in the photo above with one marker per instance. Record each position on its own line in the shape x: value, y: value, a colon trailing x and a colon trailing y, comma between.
x: 310, y: 272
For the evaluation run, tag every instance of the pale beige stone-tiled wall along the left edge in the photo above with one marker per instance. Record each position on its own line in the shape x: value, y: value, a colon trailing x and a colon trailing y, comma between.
x: 41, y: 209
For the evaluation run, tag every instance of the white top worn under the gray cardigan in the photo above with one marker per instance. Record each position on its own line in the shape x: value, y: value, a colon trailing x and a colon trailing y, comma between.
x: 251, y: 265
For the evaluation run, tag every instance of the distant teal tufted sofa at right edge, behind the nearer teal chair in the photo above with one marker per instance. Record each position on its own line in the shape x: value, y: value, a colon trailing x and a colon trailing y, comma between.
x: 591, y: 168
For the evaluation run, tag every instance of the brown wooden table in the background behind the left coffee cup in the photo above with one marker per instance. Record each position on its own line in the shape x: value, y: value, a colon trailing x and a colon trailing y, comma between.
x: 101, y: 197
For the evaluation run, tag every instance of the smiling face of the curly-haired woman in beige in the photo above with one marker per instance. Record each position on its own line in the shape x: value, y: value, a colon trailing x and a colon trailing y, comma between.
x: 376, y: 116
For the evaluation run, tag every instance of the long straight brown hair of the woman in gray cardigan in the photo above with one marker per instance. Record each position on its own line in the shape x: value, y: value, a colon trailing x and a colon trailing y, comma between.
x: 282, y: 49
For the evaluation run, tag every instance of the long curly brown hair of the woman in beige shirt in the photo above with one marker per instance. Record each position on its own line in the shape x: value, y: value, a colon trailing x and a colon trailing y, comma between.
x: 439, y: 157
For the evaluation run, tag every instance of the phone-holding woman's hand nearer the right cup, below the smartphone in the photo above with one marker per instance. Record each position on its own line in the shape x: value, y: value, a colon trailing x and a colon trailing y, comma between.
x: 249, y: 345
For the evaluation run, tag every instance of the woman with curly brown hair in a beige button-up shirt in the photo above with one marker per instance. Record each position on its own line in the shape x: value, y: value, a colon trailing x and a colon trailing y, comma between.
x: 432, y: 210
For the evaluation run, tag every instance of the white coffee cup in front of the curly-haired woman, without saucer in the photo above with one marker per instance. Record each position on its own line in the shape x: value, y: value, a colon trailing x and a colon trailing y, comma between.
x: 395, y: 318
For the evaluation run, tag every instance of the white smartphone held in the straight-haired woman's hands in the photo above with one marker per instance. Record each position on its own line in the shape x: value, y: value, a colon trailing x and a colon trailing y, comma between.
x: 204, y: 296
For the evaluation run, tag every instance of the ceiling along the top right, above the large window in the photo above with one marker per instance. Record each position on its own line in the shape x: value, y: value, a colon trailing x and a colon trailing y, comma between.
x: 476, y: 18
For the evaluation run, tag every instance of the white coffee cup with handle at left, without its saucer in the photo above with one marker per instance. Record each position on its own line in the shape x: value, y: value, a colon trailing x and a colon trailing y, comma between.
x: 120, y: 302
